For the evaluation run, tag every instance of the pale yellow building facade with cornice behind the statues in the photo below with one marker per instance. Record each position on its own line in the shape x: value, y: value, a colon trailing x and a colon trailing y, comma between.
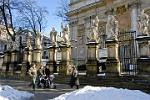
x: 83, y: 11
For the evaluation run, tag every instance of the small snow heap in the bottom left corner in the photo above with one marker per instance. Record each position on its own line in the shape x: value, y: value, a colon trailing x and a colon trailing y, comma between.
x: 8, y: 93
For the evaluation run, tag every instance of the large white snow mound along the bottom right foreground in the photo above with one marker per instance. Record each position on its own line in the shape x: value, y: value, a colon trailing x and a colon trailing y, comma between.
x: 104, y: 93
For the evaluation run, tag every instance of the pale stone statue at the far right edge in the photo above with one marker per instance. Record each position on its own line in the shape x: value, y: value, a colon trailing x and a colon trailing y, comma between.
x: 143, y: 22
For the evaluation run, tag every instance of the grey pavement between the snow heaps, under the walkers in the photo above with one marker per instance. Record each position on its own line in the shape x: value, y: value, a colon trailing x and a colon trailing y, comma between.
x: 40, y: 94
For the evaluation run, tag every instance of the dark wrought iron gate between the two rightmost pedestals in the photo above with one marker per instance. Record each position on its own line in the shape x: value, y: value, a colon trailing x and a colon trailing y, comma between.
x: 128, y: 52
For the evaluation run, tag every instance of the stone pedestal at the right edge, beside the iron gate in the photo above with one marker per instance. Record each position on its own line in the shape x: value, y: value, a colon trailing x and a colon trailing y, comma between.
x: 144, y: 55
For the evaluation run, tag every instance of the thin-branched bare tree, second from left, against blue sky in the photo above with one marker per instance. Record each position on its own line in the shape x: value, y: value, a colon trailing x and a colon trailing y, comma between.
x: 32, y: 16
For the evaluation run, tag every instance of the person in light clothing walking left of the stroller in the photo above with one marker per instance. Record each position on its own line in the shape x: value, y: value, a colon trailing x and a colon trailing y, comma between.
x: 33, y: 73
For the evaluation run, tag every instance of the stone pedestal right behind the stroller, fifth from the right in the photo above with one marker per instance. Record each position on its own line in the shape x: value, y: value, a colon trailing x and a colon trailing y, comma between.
x: 52, y: 59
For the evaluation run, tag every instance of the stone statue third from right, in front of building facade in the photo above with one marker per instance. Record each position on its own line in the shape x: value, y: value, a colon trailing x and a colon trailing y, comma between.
x: 93, y: 36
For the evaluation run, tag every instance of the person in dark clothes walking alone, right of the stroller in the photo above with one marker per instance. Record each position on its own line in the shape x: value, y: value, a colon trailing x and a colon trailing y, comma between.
x: 74, y: 78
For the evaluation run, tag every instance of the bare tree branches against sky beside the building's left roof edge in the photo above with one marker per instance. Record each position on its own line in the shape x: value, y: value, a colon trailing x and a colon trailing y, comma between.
x: 63, y: 9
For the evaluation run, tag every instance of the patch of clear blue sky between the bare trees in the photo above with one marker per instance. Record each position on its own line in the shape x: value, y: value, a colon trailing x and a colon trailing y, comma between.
x: 53, y: 20
